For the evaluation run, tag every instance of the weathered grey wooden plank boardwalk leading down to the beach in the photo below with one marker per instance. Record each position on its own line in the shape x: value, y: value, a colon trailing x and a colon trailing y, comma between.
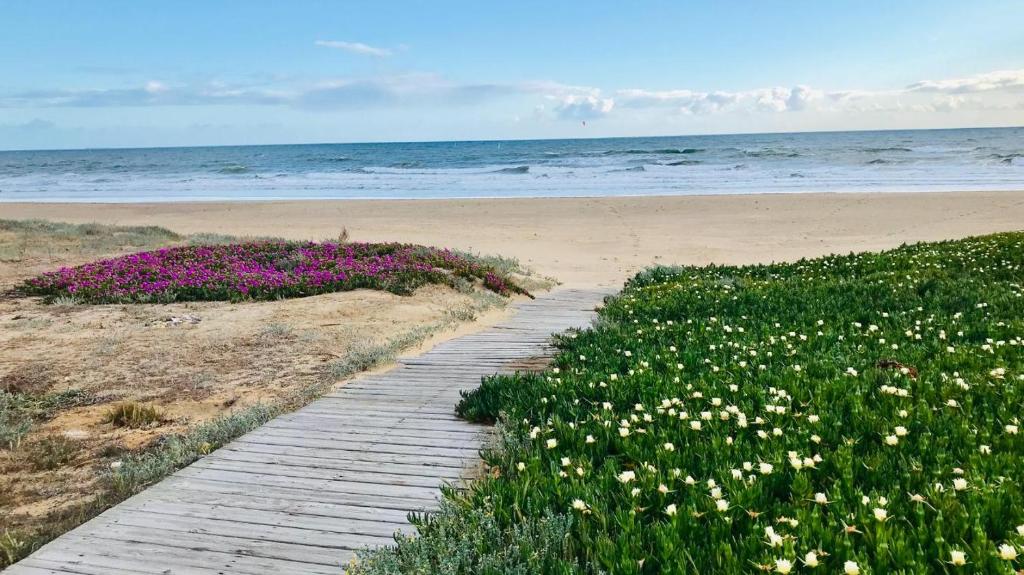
x: 304, y: 493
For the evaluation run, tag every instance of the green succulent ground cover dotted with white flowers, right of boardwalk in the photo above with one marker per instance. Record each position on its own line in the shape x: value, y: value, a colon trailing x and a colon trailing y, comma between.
x: 847, y: 415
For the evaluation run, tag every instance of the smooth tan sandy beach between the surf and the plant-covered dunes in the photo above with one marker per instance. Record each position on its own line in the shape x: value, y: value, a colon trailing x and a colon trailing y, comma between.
x: 592, y: 242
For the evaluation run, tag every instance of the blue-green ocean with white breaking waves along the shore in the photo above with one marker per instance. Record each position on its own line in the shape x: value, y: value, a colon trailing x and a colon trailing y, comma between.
x: 841, y: 162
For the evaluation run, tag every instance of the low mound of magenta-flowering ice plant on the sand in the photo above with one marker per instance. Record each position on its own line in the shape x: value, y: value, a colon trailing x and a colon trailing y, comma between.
x: 264, y: 271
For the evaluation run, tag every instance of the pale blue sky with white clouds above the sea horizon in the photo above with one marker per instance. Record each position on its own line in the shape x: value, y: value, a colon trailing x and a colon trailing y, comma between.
x: 209, y: 73
